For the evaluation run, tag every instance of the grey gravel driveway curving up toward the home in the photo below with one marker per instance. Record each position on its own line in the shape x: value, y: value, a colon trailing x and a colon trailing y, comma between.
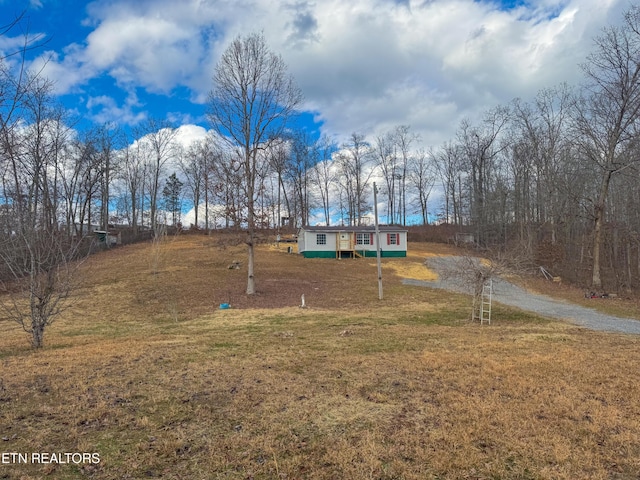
x: 509, y: 294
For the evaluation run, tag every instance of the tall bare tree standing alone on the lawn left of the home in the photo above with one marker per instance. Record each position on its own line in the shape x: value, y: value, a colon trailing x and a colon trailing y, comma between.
x: 252, y: 99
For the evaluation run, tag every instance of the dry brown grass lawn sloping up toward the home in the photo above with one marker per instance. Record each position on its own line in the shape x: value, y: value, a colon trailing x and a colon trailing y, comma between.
x: 151, y: 375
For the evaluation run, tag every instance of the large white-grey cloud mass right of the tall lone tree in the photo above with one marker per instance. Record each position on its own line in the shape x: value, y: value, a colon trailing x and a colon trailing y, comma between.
x: 376, y: 63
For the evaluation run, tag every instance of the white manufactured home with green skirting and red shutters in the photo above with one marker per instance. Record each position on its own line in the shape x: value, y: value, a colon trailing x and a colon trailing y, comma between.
x: 342, y: 241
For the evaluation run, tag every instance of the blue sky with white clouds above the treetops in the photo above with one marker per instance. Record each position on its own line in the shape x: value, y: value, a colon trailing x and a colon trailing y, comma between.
x: 363, y: 65
